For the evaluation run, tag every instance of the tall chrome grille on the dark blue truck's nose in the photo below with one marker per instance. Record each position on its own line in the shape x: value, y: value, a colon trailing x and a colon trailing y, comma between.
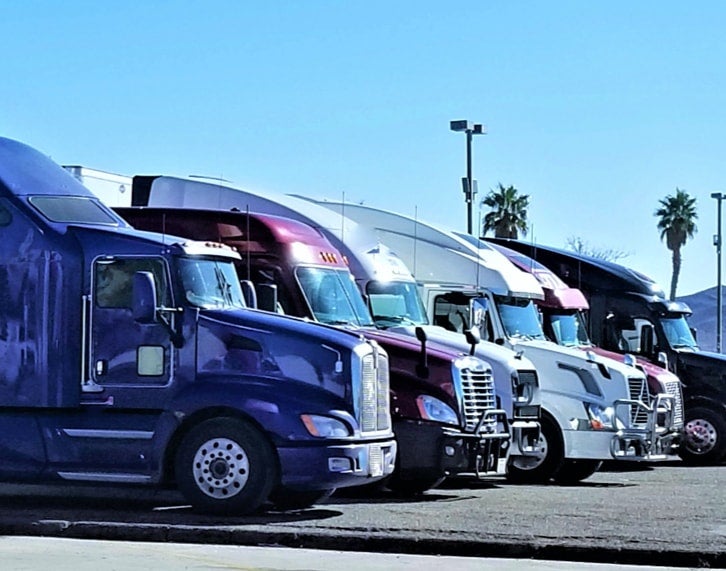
x: 374, y: 406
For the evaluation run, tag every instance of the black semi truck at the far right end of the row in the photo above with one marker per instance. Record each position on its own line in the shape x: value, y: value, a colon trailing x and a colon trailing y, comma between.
x: 629, y: 313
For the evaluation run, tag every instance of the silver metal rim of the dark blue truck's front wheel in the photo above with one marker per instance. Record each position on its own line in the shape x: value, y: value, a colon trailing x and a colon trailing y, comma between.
x: 221, y: 468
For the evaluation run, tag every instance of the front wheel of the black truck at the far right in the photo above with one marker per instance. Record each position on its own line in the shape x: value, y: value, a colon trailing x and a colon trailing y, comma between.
x: 704, y: 437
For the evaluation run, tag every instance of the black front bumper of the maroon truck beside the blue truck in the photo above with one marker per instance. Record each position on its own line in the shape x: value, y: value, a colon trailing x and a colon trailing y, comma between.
x: 429, y: 450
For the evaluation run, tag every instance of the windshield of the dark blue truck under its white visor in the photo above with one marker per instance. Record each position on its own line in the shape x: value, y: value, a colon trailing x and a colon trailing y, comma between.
x: 210, y: 283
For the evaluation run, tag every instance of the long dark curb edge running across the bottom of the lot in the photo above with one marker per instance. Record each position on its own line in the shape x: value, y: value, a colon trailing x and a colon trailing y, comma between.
x: 382, y: 541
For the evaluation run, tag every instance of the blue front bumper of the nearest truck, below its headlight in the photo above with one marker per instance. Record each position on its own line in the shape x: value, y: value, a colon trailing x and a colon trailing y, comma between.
x: 336, y: 466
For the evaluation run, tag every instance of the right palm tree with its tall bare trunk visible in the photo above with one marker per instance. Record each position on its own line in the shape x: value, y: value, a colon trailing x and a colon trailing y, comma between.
x: 677, y: 223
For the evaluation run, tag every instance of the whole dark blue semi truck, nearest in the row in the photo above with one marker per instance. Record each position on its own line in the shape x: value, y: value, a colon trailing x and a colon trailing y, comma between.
x: 131, y: 358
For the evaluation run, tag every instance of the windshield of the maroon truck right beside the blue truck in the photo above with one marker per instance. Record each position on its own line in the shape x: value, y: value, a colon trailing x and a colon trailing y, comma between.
x: 333, y: 296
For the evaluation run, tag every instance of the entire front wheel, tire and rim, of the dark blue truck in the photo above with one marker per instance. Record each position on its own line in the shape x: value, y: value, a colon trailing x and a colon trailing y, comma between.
x: 225, y: 466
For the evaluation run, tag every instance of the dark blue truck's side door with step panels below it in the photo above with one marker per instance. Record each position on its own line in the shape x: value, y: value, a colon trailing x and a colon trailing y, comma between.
x: 128, y: 379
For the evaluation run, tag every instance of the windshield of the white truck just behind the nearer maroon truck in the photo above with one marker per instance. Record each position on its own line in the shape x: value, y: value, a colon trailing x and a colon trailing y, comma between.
x: 396, y: 303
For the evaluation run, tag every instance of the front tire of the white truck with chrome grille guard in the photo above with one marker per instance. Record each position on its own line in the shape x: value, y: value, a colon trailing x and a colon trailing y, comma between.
x: 539, y: 469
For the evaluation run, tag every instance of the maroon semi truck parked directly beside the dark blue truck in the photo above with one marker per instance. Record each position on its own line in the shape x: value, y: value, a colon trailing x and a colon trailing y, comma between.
x: 445, y: 411
